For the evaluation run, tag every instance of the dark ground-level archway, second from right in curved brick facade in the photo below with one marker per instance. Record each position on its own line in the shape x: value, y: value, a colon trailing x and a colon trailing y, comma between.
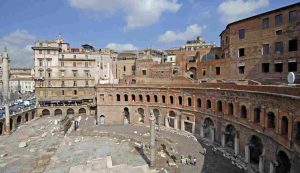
x: 255, y: 148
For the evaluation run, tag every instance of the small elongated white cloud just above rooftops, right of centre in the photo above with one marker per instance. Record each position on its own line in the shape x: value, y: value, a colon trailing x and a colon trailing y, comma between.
x: 190, y: 32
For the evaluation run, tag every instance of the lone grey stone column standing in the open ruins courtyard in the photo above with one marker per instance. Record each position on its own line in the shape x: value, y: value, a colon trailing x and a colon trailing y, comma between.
x: 152, y: 141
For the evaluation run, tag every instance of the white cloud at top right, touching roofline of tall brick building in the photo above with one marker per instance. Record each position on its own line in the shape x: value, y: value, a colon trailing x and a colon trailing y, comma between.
x: 232, y: 10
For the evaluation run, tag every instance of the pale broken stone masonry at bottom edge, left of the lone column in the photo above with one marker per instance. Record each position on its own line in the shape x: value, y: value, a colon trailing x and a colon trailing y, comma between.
x: 104, y: 165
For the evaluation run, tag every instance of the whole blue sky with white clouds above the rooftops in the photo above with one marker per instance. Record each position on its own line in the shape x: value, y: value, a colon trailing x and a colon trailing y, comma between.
x: 119, y: 24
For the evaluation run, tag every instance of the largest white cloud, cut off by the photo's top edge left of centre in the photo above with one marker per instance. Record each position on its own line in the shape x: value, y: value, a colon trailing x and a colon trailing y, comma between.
x: 139, y: 13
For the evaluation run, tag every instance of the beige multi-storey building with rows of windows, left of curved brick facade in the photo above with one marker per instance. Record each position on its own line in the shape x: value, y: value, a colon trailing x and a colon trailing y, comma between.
x: 66, y: 75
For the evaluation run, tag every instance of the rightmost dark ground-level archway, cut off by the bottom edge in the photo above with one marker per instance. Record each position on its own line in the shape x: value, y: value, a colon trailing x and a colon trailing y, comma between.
x: 284, y: 164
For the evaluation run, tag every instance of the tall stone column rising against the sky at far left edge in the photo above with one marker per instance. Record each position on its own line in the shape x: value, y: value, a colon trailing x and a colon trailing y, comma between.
x: 5, y: 78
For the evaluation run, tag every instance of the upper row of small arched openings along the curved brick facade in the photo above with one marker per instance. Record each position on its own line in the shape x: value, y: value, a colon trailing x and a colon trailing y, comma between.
x: 222, y: 108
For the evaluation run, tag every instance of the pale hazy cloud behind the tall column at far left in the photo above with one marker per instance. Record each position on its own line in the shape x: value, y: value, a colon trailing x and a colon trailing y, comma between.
x: 19, y: 45
